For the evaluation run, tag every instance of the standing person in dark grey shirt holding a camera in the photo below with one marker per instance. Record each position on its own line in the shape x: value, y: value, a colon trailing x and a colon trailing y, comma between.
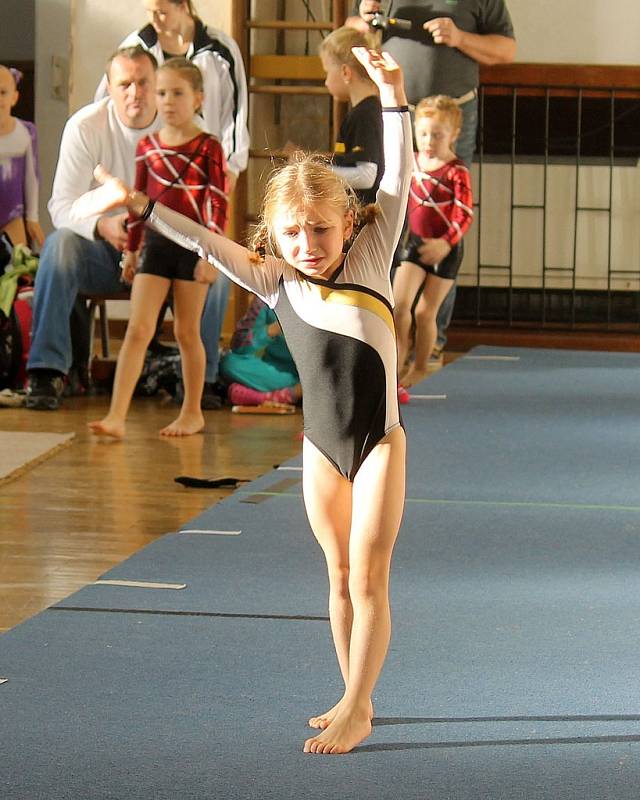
x: 440, y: 45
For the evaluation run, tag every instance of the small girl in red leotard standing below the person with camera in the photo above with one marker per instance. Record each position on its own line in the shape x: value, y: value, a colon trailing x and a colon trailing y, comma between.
x: 439, y: 214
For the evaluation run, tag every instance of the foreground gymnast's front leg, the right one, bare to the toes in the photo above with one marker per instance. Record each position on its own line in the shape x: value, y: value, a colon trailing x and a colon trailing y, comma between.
x: 377, y: 504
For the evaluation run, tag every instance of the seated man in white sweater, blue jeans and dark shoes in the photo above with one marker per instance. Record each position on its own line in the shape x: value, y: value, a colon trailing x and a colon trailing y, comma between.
x: 83, y: 257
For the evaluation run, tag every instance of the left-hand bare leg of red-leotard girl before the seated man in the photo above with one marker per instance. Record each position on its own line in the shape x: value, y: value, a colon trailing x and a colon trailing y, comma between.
x: 147, y: 296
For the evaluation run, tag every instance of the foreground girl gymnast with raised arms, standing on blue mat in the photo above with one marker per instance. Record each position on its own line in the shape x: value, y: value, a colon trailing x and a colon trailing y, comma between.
x: 336, y: 312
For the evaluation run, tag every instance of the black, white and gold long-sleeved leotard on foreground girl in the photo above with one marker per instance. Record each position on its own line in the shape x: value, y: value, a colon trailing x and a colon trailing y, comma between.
x: 340, y: 331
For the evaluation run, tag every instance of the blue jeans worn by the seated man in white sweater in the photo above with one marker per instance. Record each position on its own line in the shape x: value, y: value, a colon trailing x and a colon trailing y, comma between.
x: 72, y: 265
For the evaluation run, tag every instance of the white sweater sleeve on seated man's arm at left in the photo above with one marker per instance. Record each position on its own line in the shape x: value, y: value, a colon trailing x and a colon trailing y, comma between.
x: 74, y: 175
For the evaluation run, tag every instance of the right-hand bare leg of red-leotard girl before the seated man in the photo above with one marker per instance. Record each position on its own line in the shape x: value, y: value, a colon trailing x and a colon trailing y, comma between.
x: 188, y: 302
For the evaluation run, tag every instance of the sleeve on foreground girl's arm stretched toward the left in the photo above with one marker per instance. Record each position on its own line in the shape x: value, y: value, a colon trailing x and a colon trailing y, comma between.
x: 262, y: 278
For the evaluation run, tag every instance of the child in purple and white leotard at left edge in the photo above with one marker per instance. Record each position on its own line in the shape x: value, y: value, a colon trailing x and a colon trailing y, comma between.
x: 18, y: 167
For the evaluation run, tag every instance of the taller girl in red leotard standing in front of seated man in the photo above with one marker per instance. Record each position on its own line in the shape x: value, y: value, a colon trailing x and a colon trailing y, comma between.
x: 185, y: 167
